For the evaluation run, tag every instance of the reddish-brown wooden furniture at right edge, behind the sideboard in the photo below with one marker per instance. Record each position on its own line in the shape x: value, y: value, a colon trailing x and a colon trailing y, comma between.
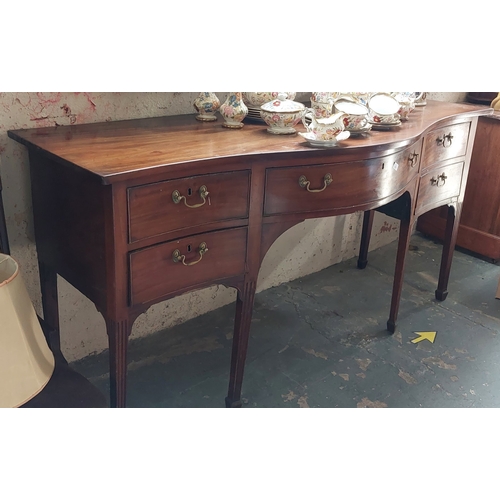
x: 479, y: 229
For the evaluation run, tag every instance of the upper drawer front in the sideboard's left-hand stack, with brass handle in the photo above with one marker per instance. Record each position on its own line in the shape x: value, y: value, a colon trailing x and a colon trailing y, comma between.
x: 162, y: 207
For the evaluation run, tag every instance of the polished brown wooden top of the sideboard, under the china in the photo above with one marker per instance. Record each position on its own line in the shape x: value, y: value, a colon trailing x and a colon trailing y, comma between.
x: 116, y: 150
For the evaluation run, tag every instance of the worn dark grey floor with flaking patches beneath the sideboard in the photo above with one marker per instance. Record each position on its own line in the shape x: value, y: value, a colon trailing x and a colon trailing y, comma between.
x: 321, y: 341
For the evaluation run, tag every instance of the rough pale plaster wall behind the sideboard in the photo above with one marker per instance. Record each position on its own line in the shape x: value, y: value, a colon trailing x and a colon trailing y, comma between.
x: 306, y: 248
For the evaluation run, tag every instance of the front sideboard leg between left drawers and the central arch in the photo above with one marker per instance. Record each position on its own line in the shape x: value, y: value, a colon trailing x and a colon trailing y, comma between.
x: 243, y: 318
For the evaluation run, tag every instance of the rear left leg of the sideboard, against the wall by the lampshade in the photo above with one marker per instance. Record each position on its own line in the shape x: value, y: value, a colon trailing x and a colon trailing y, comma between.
x: 50, y: 306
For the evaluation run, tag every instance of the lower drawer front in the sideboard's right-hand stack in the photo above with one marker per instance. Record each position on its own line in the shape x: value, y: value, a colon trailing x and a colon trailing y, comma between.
x: 438, y: 186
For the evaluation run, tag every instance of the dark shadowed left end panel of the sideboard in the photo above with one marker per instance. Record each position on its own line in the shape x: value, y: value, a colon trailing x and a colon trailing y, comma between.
x: 69, y: 216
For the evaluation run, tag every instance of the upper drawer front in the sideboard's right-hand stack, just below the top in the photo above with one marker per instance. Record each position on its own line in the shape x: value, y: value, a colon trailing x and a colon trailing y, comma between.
x: 445, y: 143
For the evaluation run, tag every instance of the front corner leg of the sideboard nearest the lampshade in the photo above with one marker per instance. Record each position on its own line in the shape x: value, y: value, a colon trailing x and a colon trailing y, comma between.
x: 118, y: 333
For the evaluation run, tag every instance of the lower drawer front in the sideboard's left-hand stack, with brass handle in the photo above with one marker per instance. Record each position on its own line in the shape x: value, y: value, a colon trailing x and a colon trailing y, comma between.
x: 159, y: 270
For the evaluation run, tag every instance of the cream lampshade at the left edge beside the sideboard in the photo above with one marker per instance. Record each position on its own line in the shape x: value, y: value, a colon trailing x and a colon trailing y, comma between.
x: 26, y: 362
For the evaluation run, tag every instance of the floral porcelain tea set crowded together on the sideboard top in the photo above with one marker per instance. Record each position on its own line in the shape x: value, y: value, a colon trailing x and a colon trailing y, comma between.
x: 331, y: 118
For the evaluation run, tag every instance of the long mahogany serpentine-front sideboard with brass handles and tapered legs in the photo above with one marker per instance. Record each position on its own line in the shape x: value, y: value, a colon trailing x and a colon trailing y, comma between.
x: 135, y: 212
